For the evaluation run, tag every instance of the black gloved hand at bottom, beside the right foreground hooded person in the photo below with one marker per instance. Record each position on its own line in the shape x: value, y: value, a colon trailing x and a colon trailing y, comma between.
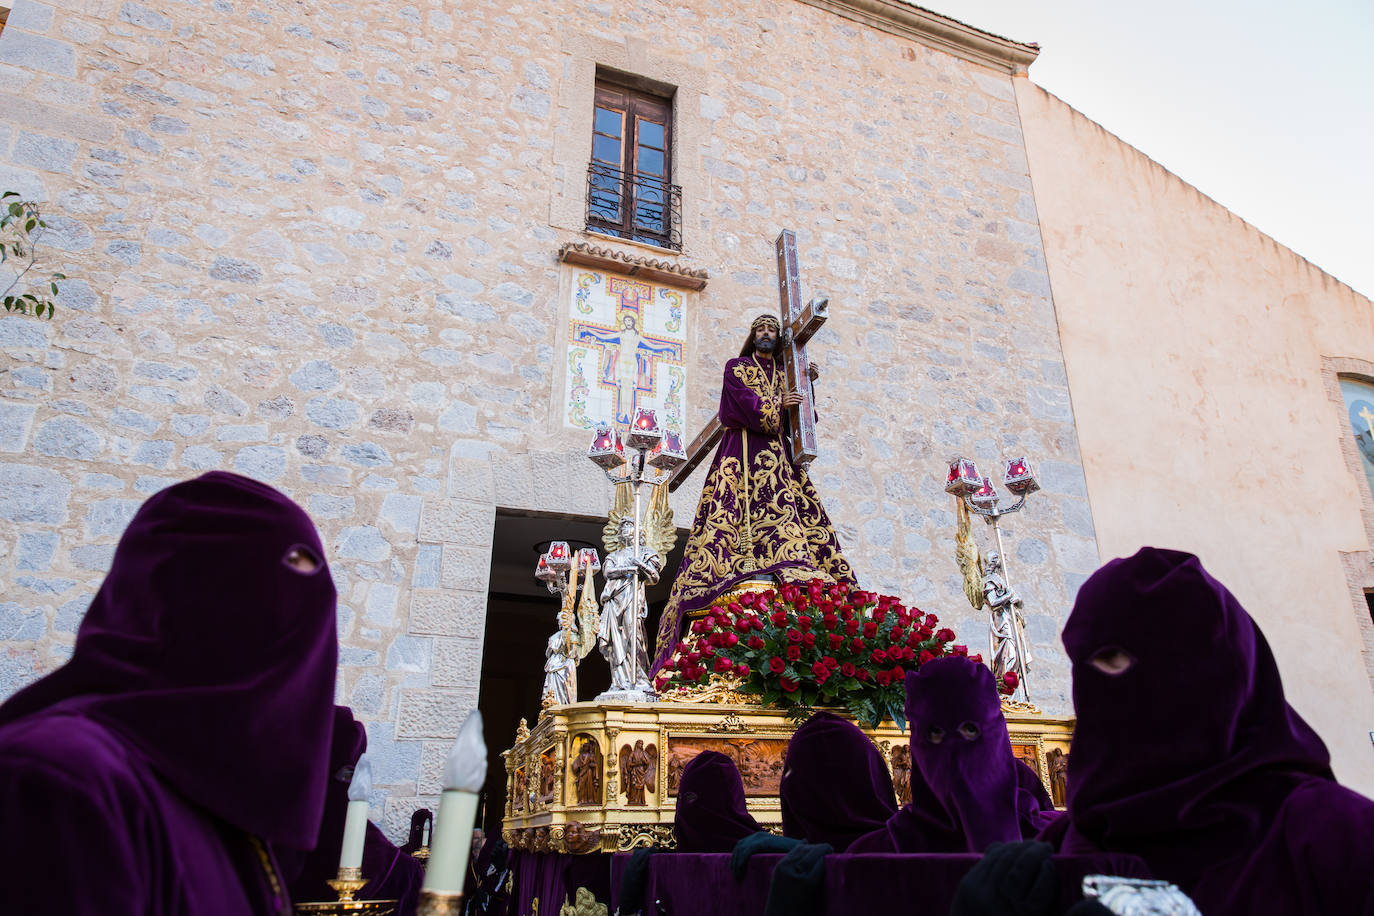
x: 1013, y: 880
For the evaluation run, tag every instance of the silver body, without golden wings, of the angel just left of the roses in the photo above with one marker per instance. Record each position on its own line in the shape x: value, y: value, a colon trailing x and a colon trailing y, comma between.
x: 622, y: 635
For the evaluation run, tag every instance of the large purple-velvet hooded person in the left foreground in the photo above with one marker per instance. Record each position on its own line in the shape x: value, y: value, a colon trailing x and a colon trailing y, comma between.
x: 189, y: 734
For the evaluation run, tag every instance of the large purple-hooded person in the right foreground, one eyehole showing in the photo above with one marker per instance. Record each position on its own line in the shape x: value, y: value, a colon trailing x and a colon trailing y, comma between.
x: 1188, y: 756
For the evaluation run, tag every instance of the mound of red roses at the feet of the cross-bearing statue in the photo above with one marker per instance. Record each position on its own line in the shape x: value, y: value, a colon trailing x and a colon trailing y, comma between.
x: 800, y: 648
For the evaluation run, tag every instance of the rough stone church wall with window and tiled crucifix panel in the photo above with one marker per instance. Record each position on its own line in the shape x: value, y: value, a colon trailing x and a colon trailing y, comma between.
x: 317, y: 244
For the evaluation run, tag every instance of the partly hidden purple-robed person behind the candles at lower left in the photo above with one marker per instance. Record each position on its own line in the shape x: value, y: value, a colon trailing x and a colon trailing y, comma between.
x: 391, y: 874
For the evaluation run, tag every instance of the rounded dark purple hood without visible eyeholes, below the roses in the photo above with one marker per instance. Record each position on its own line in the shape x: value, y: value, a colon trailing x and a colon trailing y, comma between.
x: 835, y: 785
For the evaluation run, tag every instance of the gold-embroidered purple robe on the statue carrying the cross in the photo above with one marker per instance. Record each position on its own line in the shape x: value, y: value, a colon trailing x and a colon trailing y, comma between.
x: 793, y: 539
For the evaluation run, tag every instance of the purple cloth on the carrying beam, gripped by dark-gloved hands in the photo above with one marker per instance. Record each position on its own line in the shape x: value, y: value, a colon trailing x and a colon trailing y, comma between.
x: 880, y: 884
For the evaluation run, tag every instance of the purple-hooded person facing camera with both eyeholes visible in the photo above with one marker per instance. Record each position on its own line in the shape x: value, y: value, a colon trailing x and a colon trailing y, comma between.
x: 964, y: 777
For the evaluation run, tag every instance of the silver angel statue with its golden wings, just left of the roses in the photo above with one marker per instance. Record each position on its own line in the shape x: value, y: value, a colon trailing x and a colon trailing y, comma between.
x: 629, y: 569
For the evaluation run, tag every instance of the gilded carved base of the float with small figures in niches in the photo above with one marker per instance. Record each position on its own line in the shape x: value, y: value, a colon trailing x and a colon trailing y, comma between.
x: 604, y: 778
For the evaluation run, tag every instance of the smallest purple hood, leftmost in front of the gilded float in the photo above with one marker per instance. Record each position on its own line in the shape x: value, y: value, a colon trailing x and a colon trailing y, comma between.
x: 711, y: 815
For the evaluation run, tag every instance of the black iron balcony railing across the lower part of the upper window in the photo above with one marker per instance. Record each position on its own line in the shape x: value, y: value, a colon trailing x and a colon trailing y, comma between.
x: 634, y: 207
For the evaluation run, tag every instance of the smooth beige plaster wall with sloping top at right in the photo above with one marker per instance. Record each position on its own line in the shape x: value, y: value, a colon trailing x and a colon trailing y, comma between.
x: 1202, y: 362
